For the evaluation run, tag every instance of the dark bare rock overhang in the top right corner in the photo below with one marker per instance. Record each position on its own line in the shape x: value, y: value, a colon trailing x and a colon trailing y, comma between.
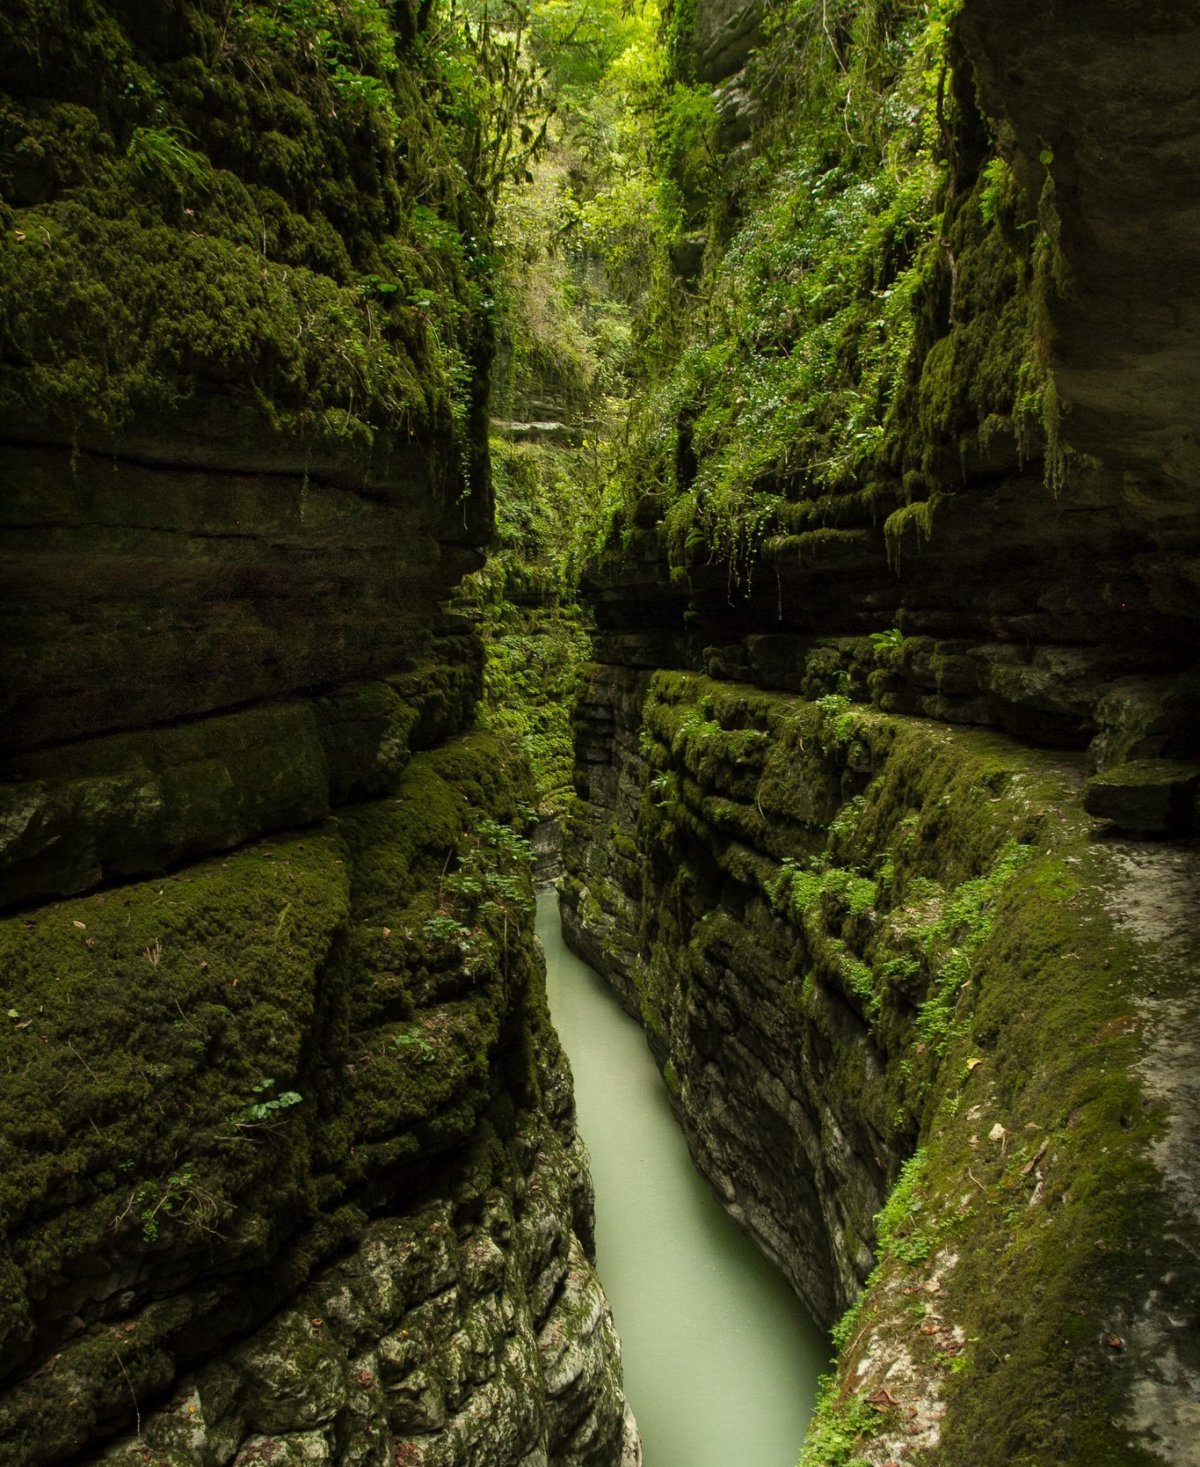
x: 1126, y: 172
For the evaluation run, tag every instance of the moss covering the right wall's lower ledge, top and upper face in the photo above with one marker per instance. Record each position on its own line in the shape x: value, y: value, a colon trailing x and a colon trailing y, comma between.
x: 945, y: 888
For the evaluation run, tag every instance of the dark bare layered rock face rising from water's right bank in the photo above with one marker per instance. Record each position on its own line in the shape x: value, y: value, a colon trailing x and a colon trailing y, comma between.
x: 800, y: 1174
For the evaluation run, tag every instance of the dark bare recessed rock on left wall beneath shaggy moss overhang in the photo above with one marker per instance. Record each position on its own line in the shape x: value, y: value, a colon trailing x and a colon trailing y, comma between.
x: 139, y: 595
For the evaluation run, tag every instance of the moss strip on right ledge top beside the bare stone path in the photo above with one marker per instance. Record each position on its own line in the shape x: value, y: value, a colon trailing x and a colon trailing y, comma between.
x: 1038, y: 1108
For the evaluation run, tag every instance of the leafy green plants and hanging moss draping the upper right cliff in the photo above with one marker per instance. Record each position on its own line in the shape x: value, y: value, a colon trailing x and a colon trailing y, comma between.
x: 868, y: 309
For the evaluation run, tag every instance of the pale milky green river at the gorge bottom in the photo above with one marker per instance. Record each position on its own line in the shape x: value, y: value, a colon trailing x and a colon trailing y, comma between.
x: 721, y: 1359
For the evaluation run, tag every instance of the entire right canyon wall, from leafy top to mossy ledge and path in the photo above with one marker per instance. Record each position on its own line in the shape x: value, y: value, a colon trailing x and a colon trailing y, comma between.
x: 887, y: 767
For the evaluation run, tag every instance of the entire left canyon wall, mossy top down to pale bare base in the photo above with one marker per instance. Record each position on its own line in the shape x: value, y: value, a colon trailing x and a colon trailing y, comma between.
x: 290, y: 1163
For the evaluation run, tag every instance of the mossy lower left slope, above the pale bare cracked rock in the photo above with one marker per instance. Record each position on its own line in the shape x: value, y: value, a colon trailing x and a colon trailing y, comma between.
x: 215, y: 1076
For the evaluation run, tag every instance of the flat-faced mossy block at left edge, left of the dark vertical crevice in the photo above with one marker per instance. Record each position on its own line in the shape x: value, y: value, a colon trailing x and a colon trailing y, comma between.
x: 150, y: 1014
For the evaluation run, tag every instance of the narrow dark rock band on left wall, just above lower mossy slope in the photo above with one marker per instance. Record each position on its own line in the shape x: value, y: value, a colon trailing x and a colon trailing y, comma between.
x: 105, y: 809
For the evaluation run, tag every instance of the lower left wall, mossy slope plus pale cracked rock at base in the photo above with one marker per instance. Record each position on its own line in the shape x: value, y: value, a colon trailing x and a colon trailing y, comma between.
x: 313, y: 1080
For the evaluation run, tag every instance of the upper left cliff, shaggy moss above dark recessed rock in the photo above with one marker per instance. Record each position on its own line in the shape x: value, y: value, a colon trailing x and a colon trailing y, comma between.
x: 244, y: 370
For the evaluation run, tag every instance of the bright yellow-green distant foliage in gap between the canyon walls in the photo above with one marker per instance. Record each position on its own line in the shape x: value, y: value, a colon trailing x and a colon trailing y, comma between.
x: 564, y: 348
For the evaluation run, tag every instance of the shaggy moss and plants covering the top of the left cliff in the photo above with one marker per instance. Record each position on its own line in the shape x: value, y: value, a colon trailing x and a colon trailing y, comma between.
x: 265, y: 208
